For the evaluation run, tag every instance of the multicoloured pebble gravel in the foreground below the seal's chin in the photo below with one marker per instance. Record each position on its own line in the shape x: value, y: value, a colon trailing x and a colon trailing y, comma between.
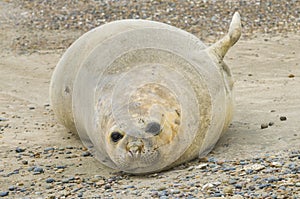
x: 266, y: 176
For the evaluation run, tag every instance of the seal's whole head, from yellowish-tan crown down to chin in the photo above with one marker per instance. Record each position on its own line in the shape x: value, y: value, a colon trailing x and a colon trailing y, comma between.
x: 148, y: 139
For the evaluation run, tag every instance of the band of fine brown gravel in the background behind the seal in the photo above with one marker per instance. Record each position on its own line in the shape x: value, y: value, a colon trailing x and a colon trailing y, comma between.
x: 208, y: 20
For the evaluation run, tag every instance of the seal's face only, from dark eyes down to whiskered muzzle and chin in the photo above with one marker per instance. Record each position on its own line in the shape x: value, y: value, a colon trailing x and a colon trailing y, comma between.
x: 137, y: 153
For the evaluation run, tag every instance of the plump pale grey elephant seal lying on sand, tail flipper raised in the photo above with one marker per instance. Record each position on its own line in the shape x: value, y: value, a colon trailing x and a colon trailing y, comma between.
x: 144, y: 96
